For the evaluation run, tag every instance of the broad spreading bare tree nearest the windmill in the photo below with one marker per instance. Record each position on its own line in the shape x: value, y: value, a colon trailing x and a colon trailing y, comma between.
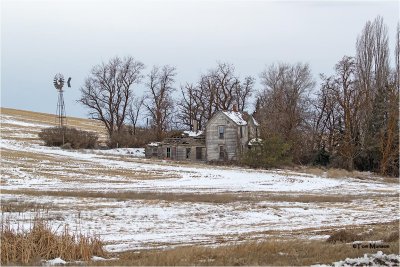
x: 107, y: 91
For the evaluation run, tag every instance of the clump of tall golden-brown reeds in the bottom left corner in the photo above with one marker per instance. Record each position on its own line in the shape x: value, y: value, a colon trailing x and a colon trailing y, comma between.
x: 40, y: 242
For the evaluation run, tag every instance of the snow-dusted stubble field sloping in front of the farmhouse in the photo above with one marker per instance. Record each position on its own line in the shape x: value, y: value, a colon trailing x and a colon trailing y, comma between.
x: 32, y: 173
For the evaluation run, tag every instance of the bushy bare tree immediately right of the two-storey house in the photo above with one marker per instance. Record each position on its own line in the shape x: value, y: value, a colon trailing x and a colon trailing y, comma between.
x: 283, y: 105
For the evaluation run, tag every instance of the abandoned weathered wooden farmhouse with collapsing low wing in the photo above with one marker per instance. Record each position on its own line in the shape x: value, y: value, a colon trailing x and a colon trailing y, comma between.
x: 227, y: 135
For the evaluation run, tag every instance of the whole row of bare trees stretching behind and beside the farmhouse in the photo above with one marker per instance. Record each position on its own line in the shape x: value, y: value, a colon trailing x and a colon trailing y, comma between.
x: 348, y: 120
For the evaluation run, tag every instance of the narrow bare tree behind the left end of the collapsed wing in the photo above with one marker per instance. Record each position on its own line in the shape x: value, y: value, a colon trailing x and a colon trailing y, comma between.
x: 159, y: 103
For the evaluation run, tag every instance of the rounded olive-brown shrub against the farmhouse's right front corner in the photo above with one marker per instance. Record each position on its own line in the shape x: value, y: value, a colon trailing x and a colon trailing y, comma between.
x: 271, y: 152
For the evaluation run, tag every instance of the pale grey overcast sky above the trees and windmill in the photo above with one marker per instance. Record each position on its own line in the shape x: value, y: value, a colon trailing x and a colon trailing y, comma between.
x: 42, y: 38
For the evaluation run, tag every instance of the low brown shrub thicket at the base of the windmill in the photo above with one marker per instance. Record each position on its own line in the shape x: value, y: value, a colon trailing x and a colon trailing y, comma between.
x: 68, y: 137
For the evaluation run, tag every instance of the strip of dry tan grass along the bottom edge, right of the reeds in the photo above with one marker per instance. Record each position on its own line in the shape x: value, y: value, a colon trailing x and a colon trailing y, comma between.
x: 271, y: 252
